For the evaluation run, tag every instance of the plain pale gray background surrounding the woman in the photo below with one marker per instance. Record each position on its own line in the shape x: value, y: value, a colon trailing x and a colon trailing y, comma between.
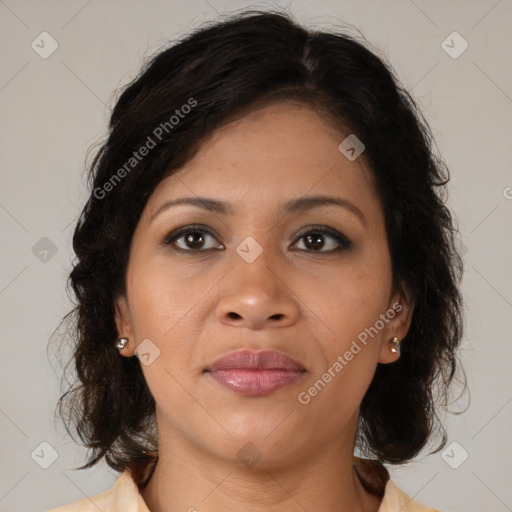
x: 53, y: 109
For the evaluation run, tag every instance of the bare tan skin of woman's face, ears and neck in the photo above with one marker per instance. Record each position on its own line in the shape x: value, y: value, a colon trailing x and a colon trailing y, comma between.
x: 197, y: 307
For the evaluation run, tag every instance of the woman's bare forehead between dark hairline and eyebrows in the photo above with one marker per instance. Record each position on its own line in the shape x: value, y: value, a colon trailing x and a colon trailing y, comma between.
x: 270, y: 155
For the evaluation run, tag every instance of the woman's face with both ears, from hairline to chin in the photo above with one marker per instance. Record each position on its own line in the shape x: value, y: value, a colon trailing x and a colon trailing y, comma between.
x: 255, y: 274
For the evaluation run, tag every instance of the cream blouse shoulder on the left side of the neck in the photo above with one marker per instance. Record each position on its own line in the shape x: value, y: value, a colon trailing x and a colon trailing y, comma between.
x: 124, y: 496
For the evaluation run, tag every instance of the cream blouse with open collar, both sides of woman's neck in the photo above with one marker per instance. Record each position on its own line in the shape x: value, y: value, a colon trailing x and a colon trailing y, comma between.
x: 124, y: 496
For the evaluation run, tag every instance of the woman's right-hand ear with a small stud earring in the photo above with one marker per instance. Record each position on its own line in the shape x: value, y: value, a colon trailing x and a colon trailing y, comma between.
x: 399, y: 313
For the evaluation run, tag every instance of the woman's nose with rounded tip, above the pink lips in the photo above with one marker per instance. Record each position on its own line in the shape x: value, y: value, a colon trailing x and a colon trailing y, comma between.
x: 256, y: 296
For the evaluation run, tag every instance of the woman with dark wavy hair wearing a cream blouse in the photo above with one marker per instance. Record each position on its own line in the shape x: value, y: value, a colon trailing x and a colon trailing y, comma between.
x: 266, y: 234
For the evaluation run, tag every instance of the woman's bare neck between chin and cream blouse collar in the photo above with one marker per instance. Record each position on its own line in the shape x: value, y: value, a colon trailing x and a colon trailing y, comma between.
x: 185, y: 478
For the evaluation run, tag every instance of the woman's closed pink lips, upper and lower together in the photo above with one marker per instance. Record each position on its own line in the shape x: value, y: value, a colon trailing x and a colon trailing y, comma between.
x: 256, y: 373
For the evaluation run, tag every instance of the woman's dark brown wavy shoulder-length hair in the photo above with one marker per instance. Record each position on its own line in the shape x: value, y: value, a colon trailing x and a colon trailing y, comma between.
x: 226, y: 69
